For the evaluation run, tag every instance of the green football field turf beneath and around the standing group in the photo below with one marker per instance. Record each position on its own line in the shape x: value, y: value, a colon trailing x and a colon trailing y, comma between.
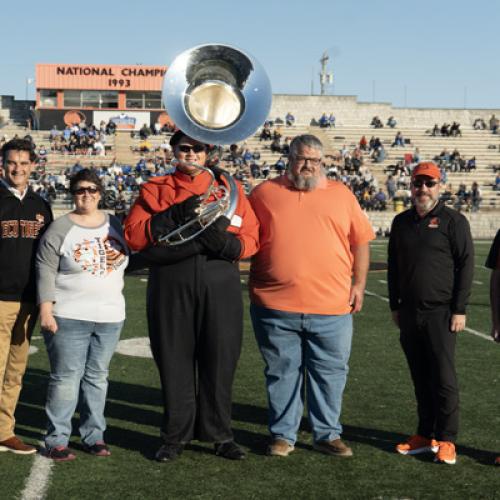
x: 378, y: 411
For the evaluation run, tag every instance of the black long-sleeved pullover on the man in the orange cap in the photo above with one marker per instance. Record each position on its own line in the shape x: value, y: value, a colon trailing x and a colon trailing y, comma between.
x: 431, y: 260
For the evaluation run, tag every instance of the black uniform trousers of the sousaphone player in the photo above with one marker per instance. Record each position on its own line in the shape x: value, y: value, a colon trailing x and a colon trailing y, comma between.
x: 195, y: 320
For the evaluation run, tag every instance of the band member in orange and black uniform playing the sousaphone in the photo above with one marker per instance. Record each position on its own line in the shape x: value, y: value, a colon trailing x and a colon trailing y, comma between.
x: 194, y: 302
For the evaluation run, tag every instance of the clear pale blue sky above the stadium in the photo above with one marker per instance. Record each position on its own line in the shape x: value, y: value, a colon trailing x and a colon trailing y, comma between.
x: 425, y: 53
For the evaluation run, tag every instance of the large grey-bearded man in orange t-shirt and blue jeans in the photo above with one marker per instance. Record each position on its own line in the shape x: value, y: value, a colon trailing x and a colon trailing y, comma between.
x: 306, y: 281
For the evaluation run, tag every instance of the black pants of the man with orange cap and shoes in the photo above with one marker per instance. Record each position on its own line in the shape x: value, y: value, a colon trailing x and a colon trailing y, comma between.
x: 429, y: 346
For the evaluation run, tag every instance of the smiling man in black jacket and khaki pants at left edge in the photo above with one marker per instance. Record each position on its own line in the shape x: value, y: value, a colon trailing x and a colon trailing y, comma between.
x: 23, y: 218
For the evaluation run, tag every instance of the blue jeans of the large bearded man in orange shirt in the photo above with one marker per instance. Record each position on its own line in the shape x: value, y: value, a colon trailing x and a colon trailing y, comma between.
x: 295, y: 345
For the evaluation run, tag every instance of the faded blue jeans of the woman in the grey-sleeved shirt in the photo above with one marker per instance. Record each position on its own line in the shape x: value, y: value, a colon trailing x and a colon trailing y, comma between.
x: 79, y: 355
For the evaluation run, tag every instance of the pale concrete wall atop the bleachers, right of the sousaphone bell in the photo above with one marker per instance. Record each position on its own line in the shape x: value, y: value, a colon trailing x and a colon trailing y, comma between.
x: 349, y: 112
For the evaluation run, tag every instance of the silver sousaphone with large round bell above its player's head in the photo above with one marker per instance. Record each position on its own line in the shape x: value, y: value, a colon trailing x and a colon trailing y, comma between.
x: 217, y: 95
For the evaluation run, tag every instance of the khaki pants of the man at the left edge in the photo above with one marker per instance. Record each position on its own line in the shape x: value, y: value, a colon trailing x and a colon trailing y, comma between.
x: 17, y: 320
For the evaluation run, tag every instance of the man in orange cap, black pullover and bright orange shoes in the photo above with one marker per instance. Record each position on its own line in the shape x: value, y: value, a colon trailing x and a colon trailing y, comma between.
x: 431, y: 262
